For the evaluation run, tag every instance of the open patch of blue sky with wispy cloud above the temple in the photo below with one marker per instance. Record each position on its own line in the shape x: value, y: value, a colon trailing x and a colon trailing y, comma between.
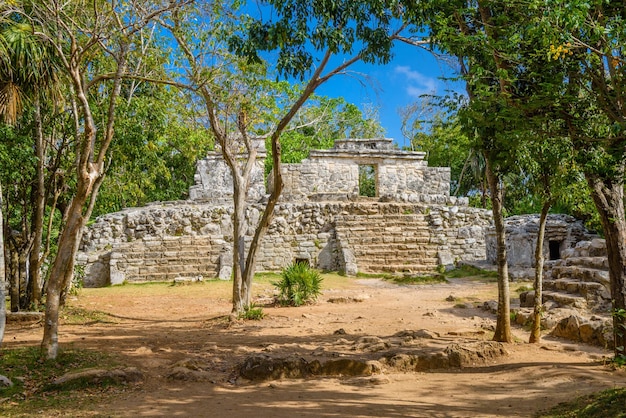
x: 411, y: 73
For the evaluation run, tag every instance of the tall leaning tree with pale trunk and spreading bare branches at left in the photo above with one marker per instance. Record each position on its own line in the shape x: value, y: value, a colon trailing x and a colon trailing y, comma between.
x: 80, y: 32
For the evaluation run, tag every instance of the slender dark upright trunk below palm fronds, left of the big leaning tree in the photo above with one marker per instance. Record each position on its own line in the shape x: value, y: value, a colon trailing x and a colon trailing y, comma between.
x: 34, y: 283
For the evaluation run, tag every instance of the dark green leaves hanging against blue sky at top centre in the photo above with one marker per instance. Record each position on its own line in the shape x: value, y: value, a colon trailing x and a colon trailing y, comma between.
x: 297, y: 29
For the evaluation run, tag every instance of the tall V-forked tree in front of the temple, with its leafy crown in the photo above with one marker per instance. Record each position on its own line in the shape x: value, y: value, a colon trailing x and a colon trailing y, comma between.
x: 305, y: 38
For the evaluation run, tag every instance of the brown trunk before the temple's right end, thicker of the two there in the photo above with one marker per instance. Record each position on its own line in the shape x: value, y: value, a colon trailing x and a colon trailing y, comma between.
x: 503, y: 324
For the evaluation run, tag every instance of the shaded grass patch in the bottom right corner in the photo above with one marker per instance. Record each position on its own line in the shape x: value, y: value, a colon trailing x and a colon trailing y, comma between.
x: 608, y: 403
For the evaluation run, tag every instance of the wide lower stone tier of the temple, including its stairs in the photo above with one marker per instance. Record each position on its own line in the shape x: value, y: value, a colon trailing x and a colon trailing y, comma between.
x: 189, y: 239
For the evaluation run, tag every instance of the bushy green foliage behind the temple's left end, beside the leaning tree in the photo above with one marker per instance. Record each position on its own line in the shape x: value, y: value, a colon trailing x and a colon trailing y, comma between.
x: 155, y: 154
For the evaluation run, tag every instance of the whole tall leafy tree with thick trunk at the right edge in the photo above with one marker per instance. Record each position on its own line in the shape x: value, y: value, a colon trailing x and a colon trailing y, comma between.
x: 587, y: 39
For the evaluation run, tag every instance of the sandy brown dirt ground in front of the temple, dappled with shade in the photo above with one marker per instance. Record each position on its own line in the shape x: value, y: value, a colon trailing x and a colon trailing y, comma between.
x: 157, y: 333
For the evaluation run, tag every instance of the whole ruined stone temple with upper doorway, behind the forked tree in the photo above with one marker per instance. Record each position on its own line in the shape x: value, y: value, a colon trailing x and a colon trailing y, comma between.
x: 363, y: 206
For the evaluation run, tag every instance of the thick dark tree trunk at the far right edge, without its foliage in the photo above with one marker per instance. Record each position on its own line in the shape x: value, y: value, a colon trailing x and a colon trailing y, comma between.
x: 608, y: 196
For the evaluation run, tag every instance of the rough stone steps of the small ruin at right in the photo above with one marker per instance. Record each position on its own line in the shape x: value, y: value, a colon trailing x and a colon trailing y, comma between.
x: 580, y: 282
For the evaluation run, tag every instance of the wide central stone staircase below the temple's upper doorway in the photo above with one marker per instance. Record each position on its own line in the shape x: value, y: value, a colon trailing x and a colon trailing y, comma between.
x: 389, y: 243
